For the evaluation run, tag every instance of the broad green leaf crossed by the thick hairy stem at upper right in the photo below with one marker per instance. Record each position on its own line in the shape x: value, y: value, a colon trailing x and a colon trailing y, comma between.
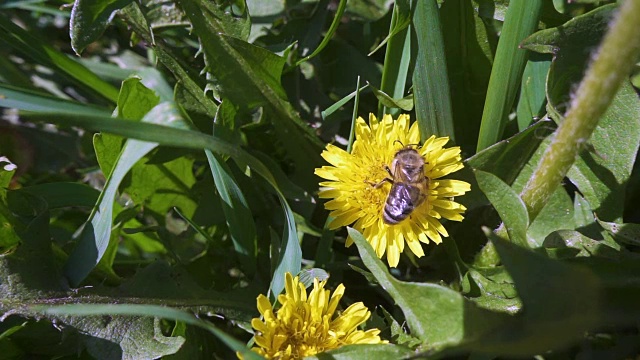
x: 603, y: 169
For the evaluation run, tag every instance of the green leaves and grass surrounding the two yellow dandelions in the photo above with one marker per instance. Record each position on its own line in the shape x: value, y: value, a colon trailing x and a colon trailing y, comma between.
x: 164, y: 155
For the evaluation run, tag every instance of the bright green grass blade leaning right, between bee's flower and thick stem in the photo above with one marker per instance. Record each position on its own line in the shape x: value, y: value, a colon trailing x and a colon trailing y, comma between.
x: 520, y: 21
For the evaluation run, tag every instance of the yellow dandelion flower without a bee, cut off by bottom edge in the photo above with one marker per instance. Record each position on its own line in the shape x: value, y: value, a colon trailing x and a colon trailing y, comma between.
x: 305, y: 326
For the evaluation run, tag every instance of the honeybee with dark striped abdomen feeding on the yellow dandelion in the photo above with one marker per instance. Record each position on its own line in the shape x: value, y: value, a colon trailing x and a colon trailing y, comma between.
x: 409, y: 185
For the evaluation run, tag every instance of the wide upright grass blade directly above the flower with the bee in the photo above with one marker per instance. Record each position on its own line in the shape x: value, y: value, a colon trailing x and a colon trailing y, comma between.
x: 430, y: 82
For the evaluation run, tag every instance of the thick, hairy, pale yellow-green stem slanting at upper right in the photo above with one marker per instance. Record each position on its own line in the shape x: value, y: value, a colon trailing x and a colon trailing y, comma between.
x: 612, y: 65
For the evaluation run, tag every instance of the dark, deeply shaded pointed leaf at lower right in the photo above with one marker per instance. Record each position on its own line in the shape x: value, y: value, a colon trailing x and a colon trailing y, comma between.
x: 560, y: 301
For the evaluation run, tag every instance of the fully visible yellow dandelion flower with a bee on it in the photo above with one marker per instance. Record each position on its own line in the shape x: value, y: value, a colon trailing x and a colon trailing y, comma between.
x: 359, y: 193
